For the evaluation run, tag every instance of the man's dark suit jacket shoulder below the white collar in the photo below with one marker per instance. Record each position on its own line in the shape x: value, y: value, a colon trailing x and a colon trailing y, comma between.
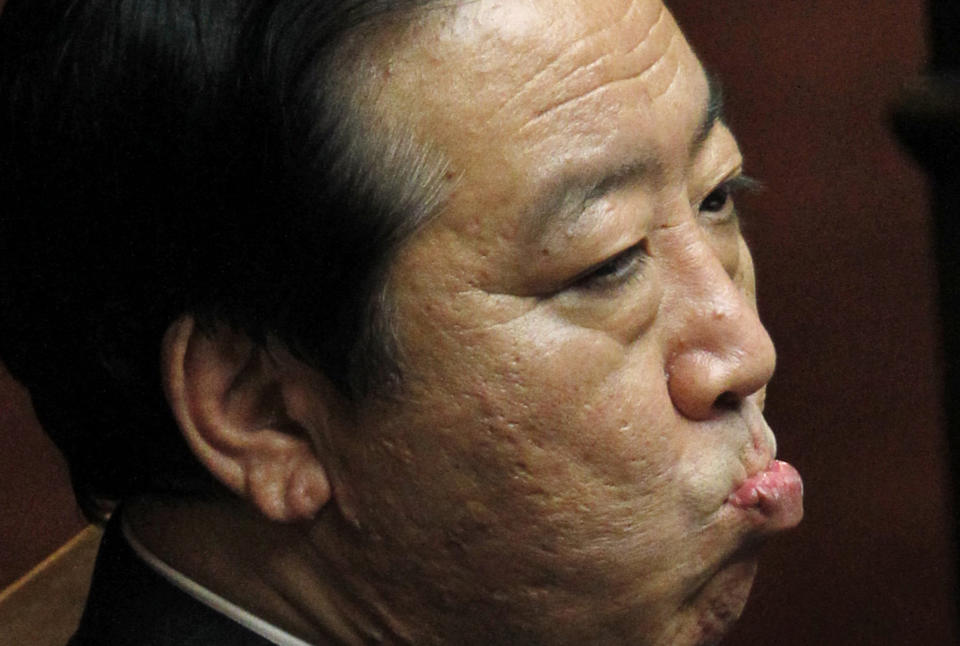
x: 131, y: 605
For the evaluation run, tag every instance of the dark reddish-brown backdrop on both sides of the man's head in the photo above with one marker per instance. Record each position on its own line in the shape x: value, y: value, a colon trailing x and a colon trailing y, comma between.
x: 842, y: 241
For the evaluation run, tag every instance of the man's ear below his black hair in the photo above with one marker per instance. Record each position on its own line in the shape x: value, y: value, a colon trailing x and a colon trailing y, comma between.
x: 228, y: 396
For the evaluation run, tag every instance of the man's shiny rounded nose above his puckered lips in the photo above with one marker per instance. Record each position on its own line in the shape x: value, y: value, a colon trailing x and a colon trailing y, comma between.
x: 720, y: 352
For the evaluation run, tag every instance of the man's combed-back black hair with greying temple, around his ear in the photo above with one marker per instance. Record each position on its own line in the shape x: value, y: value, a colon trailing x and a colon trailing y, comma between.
x: 163, y: 157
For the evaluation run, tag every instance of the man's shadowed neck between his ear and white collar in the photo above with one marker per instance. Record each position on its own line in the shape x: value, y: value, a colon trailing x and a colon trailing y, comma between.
x: 281, y: 573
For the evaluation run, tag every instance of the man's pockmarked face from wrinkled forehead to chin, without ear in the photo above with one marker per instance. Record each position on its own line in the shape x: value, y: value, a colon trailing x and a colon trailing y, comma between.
x: 583, y: 363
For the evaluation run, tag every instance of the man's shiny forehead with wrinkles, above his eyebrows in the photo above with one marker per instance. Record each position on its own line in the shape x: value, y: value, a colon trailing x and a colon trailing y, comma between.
x: 531, y: 92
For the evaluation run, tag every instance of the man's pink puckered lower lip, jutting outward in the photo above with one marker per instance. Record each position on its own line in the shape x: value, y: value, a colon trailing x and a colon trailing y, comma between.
x: 774, y: 496
